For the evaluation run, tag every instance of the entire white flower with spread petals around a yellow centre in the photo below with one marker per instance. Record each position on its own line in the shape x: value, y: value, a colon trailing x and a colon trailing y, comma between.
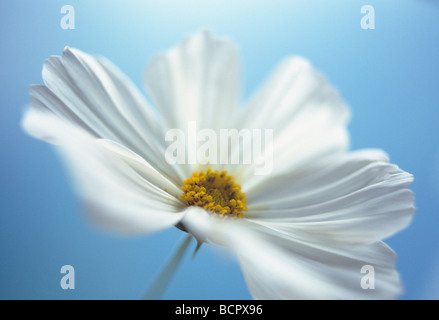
x: 311, y: 225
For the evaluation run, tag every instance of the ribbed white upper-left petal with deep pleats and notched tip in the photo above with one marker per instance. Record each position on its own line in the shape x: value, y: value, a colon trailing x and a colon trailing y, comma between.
x: 92, y: 94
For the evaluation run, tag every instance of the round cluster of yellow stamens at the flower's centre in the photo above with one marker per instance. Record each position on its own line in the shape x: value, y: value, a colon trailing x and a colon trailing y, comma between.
x: 215, y: 191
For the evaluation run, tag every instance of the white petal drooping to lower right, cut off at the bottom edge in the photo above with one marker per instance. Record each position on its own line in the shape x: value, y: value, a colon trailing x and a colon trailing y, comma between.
x: 280, y: 266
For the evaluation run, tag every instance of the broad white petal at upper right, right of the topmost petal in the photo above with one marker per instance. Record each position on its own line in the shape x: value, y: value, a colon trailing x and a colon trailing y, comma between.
x: 306, y: 115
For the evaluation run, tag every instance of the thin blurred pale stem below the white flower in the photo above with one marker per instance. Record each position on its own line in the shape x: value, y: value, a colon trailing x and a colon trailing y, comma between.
x: 160, y: 283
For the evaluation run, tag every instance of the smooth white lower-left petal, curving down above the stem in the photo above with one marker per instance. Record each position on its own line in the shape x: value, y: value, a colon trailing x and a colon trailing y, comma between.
x: 119, y: 189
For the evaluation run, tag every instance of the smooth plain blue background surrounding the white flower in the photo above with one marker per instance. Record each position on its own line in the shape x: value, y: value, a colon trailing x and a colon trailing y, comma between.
x: 389, y: 76
